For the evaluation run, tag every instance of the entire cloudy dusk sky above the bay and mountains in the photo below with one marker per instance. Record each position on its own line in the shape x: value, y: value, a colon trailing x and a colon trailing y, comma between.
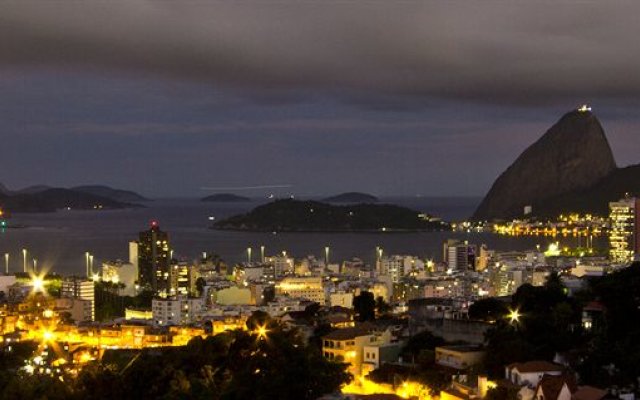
x: 391, y: 98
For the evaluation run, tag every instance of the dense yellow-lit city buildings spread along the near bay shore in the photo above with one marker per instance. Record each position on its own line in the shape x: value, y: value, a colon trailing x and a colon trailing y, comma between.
x: 206, y: 297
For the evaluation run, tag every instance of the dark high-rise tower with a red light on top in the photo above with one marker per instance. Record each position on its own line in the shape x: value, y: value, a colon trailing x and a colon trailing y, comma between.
x: 154, y: 258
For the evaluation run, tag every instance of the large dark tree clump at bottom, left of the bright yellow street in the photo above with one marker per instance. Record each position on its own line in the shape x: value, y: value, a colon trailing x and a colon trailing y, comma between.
x: 231, y: 365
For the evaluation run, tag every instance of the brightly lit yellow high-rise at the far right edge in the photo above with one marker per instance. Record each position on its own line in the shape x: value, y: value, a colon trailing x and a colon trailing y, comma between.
x: 624, y: 237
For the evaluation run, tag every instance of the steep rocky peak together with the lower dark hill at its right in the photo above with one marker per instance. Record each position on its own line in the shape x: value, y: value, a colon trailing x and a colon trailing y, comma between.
x: 571, y: 168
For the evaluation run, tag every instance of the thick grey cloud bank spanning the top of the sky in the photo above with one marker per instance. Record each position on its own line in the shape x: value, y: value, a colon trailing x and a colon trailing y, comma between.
x: 489, y: 51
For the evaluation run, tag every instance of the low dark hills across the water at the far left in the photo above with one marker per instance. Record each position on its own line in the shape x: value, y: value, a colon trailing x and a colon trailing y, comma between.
x: 47, y: 199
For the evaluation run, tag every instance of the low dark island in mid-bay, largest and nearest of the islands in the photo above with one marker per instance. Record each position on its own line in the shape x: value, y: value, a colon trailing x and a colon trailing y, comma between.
x: 290, y: 215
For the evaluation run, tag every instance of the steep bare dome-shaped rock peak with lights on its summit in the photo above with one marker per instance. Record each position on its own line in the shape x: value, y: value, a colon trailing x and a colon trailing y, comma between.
x: 573, y: 154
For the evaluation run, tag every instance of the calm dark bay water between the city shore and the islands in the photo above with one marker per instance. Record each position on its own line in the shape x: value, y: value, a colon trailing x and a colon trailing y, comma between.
x: 59, y: 240
